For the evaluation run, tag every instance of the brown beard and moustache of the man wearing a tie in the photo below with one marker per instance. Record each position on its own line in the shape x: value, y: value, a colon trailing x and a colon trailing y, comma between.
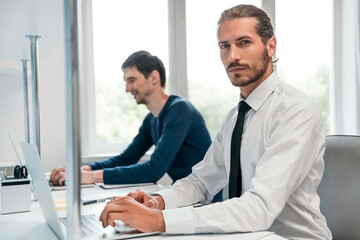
x: 256, y: 71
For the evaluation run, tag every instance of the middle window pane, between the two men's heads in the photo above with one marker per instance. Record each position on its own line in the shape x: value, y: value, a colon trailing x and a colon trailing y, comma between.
x: 210, y: 90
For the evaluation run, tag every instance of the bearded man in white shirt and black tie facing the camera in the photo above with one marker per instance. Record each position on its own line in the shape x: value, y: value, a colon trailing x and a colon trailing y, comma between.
x: 281, y: 155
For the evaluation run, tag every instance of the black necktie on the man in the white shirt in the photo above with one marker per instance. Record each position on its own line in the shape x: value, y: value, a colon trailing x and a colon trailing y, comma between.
x: 235, y: 180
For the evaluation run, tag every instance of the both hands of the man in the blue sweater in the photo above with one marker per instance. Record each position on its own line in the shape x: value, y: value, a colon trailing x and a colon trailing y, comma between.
x: 58, y: 175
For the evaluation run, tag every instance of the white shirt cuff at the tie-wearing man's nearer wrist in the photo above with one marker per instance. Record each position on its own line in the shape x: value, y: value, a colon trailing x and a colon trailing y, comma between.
x: 179, y: 220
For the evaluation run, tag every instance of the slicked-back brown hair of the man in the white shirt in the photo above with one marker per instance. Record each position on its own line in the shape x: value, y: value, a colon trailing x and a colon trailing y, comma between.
x: 263, y: 26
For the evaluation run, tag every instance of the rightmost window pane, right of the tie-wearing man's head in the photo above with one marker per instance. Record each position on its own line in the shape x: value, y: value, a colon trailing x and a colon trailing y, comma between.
x: 304, y: 48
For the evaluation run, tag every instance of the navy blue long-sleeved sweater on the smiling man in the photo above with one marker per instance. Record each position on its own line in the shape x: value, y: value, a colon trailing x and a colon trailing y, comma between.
x: 181, y: 140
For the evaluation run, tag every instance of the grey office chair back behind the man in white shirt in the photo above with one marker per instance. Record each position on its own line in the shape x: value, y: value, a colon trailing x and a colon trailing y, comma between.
x: 339, y: 189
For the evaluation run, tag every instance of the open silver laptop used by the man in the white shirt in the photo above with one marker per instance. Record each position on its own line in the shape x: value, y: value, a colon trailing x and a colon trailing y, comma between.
x: 88, y: 222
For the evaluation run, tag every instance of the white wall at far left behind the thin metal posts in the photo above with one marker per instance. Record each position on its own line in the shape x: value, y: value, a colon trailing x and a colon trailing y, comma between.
x: 35, y: 17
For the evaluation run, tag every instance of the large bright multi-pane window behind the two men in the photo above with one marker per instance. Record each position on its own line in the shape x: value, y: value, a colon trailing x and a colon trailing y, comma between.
x: 304, y: 52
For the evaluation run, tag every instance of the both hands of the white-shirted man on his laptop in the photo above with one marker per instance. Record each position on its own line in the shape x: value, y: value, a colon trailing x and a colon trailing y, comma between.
x: 138, y: 209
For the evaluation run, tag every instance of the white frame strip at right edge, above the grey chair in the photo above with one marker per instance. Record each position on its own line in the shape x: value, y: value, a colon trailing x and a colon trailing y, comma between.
x: 345, y: 84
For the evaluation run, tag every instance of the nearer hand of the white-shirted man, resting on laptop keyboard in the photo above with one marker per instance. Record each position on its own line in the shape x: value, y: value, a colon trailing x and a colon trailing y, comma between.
x: 134, y: 214
